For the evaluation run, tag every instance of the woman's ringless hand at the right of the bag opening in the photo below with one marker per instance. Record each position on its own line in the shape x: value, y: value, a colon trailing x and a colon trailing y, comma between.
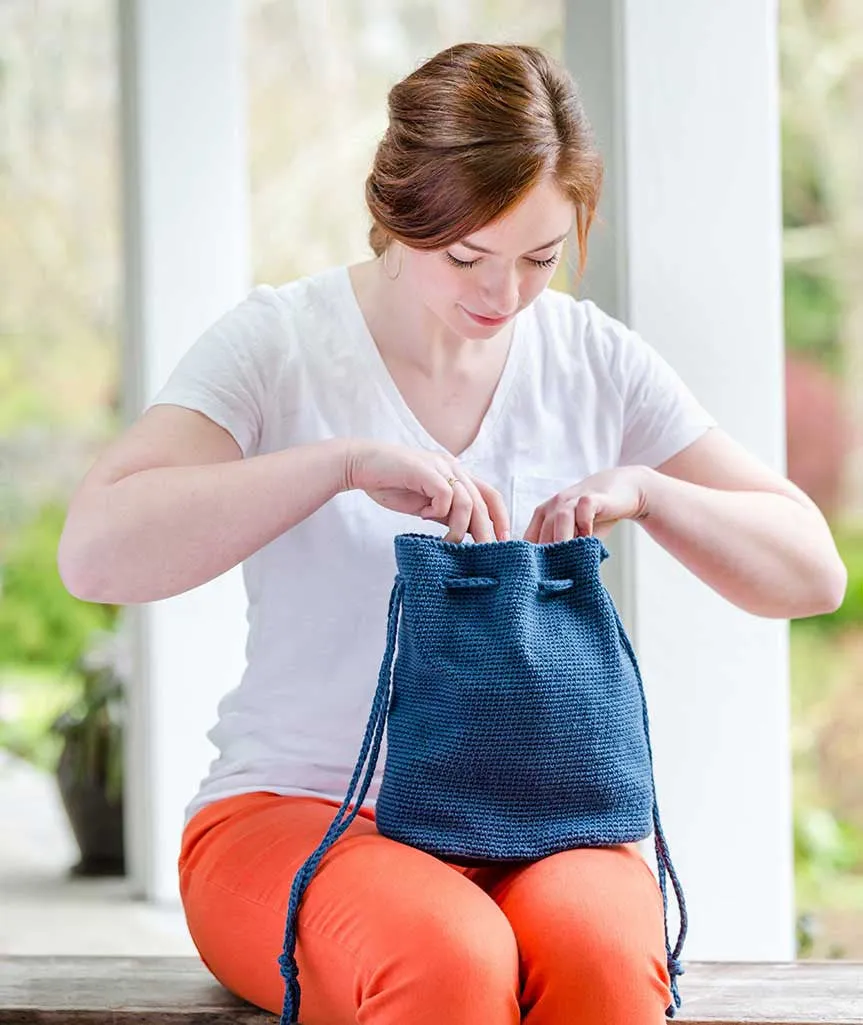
x: 593, y: 507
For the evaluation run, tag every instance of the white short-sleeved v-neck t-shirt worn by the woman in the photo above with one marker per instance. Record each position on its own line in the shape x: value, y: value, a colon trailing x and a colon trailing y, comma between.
x: 580, y: 393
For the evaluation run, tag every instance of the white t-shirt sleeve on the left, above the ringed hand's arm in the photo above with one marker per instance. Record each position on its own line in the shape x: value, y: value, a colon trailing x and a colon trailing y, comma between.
x: 230, y: 373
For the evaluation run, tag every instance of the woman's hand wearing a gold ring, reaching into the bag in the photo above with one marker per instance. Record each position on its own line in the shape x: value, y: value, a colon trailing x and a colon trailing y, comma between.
x: 430, y: 485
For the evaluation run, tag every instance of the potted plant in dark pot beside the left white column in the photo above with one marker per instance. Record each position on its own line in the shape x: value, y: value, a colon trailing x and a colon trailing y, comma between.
x: 90, y: 770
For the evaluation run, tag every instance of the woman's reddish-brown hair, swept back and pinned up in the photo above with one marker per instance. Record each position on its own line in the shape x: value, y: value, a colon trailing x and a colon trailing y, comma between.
x: 471, y: 133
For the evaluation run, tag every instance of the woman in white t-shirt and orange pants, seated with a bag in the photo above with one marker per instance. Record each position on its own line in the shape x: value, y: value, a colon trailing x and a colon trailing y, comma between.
x: 440, y: 381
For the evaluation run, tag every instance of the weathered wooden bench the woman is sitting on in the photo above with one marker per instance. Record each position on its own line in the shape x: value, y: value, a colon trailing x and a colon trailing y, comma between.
x: 180, y: 992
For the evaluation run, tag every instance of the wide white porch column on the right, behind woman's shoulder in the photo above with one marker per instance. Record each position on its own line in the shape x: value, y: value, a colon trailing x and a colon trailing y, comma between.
x: 684, y: 98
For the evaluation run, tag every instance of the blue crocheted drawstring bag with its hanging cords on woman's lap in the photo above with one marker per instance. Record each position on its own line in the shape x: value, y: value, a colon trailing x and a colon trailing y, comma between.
x: 516, y: 718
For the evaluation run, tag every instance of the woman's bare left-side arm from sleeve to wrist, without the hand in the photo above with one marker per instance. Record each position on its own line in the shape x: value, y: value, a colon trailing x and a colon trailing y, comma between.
x: 173, y: 505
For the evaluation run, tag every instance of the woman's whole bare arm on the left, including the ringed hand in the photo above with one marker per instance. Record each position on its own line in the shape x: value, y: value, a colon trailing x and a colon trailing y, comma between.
x: 173, y: 504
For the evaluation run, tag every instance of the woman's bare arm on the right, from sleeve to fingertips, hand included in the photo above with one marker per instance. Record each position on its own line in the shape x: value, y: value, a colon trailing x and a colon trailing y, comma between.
x: 744, y: 529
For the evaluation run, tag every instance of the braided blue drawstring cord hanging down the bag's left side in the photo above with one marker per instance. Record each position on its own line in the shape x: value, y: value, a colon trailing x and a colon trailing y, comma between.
x: 374, y: 739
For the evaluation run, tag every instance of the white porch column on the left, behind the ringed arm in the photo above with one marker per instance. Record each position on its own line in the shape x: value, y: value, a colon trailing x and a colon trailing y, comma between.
x: 187, y: 261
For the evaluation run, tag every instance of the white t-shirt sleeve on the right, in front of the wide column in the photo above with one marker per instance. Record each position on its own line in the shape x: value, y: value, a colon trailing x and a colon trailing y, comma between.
x: 662, y: 417
